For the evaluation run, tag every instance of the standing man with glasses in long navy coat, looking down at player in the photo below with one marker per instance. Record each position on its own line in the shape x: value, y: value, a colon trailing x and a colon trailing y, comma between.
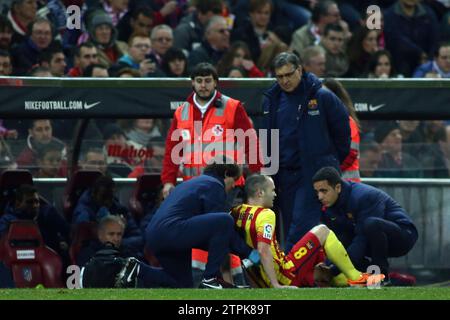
x: 313, y: 132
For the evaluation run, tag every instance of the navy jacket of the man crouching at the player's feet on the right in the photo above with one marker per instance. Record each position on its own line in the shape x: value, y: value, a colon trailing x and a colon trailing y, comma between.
x: 356, y: 203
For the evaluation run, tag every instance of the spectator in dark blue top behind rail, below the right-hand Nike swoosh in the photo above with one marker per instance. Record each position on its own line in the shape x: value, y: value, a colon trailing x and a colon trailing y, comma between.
x: 394, y: 162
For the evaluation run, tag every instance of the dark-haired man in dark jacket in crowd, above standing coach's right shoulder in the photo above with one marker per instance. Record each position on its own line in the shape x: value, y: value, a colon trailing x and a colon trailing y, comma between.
x: 337, y: 63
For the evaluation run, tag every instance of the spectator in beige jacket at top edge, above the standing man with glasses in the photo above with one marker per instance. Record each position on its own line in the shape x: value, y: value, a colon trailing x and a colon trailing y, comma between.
x: 323, y: 13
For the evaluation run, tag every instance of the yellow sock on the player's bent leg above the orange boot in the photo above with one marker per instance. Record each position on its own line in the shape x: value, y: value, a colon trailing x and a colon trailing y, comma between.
x: 338, y: 255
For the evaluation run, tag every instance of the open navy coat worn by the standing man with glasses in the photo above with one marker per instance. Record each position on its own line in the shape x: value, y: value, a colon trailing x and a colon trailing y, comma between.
x: 322, y: 125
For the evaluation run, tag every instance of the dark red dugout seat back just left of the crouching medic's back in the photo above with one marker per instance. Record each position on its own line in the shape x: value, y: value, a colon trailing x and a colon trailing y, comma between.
x: 144, y: 195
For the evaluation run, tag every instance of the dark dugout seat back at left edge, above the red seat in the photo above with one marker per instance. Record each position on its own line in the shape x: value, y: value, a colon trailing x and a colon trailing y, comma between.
x: 10, y: 180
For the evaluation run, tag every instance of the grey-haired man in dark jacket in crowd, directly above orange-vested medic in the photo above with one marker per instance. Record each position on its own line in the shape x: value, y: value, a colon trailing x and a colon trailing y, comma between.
x: 216, y: 42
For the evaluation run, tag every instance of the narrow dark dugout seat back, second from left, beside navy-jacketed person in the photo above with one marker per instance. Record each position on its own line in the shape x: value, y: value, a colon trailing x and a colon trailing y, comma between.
x: 77, y: 184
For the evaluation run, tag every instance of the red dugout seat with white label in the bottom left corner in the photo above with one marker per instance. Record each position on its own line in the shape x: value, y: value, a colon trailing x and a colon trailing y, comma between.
x: 30, y: 261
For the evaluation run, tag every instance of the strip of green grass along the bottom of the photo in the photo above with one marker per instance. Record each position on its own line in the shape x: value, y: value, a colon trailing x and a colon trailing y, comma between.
x: 415, y: 293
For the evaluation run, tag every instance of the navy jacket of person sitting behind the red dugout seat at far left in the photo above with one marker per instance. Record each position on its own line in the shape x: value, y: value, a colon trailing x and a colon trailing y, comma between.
x: 53, y: 227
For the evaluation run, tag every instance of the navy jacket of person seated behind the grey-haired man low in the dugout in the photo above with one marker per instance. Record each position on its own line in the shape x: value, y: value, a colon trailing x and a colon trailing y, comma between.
x: 87, y: 210
